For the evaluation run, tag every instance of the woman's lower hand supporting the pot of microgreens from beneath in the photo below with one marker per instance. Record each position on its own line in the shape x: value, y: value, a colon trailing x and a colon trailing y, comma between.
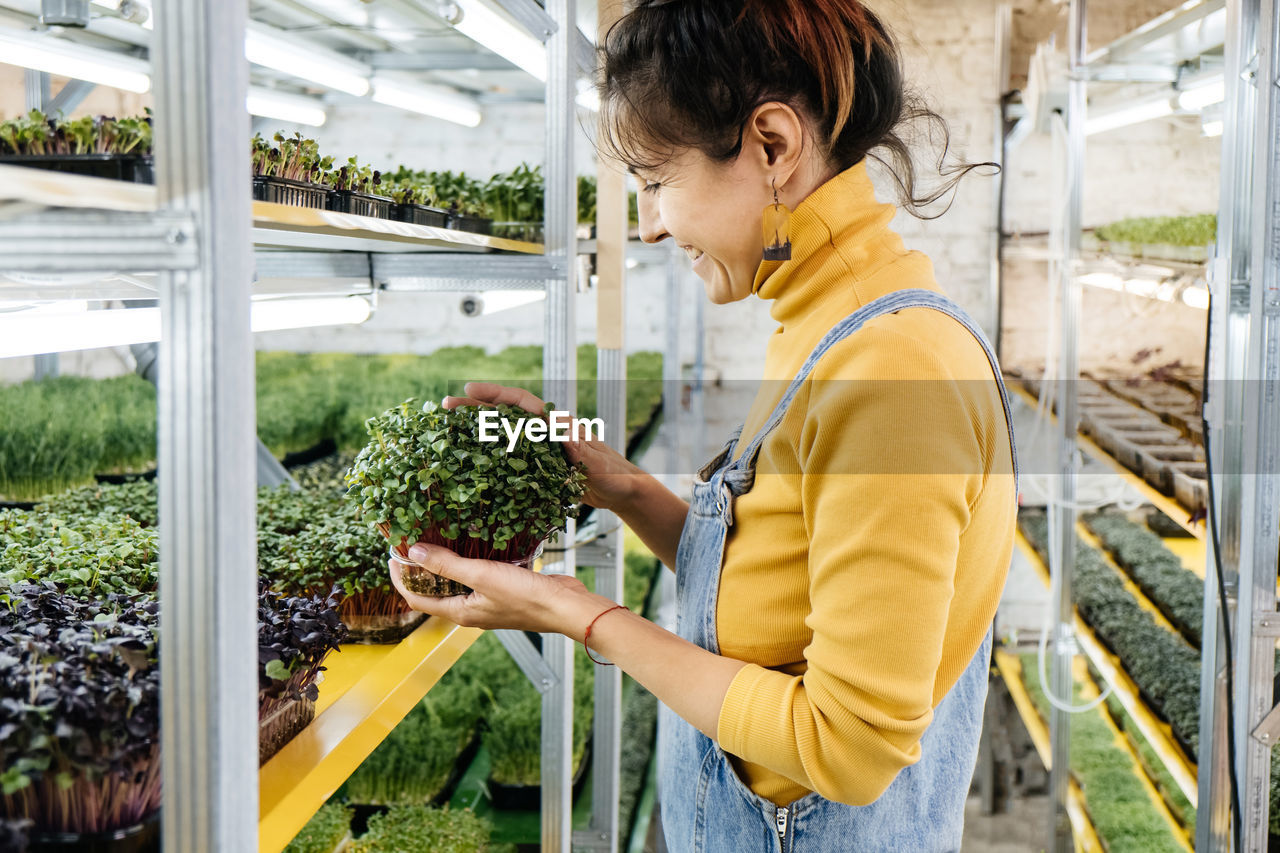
x: 504, y: 595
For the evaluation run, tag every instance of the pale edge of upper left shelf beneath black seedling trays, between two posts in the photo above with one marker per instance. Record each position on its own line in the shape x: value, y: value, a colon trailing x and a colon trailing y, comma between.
x: 290, y: 218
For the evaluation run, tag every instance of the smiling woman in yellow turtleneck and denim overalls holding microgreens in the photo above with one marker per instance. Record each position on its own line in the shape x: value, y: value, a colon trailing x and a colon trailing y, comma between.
x: 840, y: 565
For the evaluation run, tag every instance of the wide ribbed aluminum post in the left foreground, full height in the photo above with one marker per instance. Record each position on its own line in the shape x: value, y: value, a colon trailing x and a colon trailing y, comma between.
x: 208, y: 573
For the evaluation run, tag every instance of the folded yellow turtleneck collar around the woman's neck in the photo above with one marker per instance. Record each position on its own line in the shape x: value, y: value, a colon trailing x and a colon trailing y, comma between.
x: 836, y: 225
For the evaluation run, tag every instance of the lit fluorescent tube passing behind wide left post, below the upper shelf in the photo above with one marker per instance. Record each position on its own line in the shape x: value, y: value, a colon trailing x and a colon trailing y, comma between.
x: 70, y: 327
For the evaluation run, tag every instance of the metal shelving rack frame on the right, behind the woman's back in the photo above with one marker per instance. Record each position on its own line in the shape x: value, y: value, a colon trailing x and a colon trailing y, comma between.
x: 1244, y: 408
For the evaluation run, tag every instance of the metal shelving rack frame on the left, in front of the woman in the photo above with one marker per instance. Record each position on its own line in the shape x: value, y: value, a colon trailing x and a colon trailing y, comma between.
x: 193, y: 234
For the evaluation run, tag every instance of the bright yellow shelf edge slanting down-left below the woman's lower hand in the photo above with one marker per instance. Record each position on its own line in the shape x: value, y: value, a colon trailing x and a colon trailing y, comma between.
x: 308, y: 770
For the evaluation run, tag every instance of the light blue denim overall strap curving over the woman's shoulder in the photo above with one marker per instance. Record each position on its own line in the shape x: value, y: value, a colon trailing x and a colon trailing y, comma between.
x: 742, y: 473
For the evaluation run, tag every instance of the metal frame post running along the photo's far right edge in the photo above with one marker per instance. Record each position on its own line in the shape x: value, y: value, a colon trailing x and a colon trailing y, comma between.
x: 1260, y: 508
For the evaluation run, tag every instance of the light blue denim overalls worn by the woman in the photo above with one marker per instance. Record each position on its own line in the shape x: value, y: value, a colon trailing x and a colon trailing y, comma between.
x: 706, y: 808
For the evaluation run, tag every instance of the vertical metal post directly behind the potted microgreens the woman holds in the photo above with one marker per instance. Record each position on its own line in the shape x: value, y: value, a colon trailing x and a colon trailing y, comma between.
x: 560, y: 370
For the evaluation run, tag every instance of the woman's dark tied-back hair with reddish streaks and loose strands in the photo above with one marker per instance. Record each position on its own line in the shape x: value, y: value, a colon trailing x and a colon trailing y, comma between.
x: 688, y: 75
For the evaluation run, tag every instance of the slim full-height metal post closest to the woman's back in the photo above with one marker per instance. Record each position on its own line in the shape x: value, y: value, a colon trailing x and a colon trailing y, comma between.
x: 1068, y: 414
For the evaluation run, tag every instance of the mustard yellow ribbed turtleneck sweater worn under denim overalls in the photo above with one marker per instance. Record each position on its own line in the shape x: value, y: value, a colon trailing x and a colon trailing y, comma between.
x: 865, y: 567
